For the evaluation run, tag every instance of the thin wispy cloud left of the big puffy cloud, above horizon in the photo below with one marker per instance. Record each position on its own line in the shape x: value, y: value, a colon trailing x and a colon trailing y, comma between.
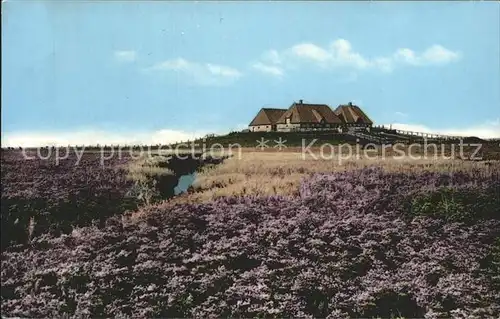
x: 200, y: 73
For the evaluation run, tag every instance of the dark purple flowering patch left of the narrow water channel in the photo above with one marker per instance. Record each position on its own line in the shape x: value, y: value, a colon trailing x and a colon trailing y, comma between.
x: 42, y: 195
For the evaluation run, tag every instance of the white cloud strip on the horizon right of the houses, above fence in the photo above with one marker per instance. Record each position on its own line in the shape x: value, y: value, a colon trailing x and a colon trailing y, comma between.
x: 486, y: 130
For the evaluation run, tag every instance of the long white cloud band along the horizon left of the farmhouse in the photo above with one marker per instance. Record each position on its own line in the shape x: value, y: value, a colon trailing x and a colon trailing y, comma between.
x: 94, y: 137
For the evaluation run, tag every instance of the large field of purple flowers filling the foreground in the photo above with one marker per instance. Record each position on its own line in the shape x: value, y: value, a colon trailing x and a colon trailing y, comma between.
x: 346, y: 247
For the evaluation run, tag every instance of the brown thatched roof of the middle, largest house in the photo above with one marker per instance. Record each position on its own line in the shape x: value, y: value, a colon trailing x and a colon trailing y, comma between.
x: 309, y: 113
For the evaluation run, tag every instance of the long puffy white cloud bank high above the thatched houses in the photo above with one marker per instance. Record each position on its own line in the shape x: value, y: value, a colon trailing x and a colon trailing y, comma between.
x: 340, y: 54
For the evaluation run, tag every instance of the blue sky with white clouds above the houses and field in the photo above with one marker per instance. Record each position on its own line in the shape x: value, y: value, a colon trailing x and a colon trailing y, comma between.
x: 105, y: 71
